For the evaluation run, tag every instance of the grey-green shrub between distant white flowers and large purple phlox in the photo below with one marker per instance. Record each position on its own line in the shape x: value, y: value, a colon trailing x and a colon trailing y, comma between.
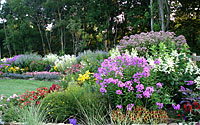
x: 91, y: 60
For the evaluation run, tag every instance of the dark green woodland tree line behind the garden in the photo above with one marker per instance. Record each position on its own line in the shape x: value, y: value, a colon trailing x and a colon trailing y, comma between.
x: 77, y: 25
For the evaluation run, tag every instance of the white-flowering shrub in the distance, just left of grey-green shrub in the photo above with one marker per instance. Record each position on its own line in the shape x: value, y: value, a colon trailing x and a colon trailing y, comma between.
x: 64, y: 62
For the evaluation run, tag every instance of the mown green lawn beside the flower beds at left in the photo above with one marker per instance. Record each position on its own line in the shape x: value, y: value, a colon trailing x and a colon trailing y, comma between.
x: 17, y: 86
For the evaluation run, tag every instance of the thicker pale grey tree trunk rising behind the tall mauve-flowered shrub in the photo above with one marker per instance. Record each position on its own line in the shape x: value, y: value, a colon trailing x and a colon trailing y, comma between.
x: 161, y: 14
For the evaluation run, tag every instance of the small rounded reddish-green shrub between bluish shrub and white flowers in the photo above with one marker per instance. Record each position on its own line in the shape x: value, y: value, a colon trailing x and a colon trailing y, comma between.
x: 39, y: 65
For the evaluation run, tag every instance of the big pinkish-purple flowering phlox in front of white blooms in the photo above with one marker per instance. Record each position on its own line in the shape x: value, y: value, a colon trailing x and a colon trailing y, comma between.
x: 126, y: 78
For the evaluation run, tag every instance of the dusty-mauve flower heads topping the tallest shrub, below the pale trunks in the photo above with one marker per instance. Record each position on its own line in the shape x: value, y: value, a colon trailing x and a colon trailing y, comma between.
x: 144, y: 42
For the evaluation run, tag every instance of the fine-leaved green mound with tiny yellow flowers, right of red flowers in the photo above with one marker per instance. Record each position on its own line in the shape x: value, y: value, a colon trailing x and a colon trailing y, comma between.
x: 63, y: 105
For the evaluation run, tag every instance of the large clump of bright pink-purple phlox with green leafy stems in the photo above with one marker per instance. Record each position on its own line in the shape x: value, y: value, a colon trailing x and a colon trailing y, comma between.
x: 129, y: 80
